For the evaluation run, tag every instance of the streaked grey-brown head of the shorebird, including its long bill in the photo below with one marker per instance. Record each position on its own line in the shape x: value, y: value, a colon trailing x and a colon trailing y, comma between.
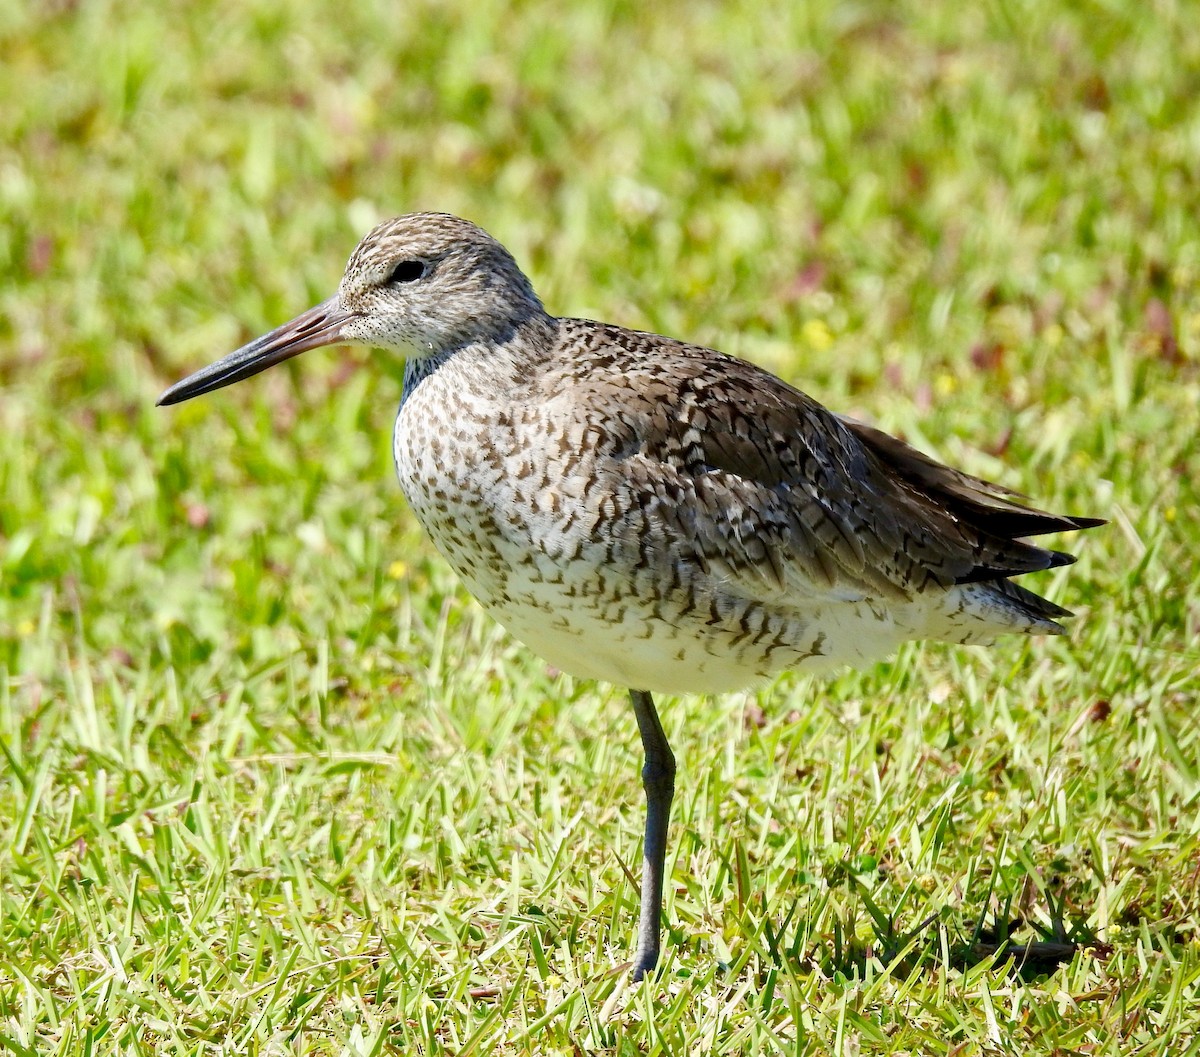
x: 419, y: 285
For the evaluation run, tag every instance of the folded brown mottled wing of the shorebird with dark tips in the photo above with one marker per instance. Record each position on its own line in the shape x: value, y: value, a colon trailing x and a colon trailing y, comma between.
x: 770, y: 491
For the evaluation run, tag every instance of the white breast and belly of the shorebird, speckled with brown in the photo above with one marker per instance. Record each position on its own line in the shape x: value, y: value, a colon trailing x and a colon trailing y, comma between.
x: 572, y: 562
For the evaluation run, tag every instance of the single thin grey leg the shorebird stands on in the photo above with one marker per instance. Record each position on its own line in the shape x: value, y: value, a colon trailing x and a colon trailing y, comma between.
x: 658, y: 780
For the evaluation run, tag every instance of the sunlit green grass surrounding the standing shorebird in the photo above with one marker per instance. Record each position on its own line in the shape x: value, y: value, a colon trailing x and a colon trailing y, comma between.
x: 271, y: 782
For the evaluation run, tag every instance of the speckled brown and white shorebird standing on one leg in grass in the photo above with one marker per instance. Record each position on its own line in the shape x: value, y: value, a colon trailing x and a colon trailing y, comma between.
x: 650, y: 513
